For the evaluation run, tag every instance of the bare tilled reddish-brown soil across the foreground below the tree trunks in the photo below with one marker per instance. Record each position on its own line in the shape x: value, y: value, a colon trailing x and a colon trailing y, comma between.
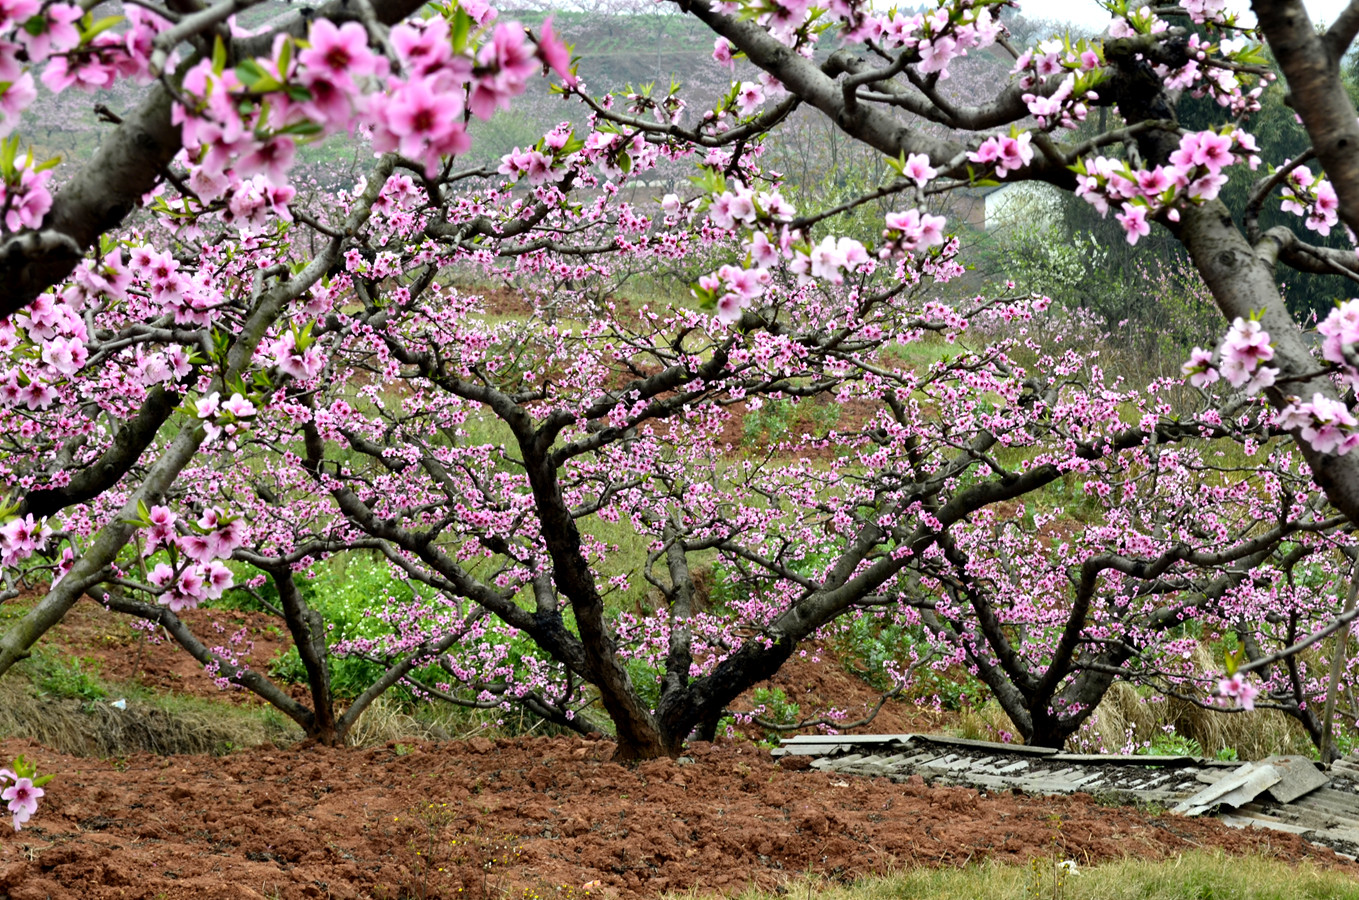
x: 523, y: 819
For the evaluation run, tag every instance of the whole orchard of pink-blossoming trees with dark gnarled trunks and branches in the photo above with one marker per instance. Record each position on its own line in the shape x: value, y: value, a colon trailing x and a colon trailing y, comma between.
x: 214, y: 380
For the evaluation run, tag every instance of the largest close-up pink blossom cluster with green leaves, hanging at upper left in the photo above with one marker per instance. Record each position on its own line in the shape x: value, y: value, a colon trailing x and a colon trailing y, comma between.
x: 241, y: 126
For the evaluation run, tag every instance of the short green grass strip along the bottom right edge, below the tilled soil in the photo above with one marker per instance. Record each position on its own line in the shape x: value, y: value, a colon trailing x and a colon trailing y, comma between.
x: 1195, y: 876
